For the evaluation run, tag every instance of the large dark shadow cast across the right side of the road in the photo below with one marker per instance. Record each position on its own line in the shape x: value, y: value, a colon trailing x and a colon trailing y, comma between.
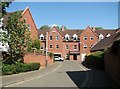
x: 97, y: 79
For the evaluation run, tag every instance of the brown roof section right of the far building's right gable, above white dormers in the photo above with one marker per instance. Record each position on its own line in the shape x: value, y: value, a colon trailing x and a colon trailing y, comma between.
x: 105, y: 32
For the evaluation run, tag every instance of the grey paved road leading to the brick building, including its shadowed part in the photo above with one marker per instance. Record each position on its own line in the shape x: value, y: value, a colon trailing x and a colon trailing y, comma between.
x: 61, y: 74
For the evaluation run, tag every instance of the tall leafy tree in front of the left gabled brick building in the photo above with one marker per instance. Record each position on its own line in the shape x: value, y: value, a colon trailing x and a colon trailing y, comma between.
x: 17, y: 36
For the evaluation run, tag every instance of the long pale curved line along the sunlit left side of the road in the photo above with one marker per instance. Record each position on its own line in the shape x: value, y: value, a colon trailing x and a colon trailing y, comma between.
x: 34, y: 78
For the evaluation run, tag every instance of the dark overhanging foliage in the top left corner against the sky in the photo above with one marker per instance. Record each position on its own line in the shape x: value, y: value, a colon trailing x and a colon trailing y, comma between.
x: 3, y: 5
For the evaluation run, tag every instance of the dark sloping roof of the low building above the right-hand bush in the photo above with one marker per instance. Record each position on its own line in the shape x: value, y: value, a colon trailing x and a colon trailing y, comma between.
x: 106, y: 42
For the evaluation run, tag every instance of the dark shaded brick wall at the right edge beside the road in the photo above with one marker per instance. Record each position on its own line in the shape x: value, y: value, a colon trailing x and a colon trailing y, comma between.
x: 112, y: 65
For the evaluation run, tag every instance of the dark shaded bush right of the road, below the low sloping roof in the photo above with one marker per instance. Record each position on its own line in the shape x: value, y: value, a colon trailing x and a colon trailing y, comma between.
x: 95, y: 60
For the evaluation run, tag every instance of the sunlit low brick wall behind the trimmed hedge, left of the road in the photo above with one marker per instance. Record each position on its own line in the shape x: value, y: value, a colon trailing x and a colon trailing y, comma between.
x: 33, y: 57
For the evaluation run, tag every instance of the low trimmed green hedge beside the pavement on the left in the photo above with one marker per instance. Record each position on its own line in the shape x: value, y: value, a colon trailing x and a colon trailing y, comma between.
x: 19, y: 67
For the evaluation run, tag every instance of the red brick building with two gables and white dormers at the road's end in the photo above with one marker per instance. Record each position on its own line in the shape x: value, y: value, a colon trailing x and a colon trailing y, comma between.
x: 72, y: 44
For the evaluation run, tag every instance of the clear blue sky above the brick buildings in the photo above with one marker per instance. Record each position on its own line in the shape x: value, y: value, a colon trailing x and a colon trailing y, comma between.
x: 73, y: 15
